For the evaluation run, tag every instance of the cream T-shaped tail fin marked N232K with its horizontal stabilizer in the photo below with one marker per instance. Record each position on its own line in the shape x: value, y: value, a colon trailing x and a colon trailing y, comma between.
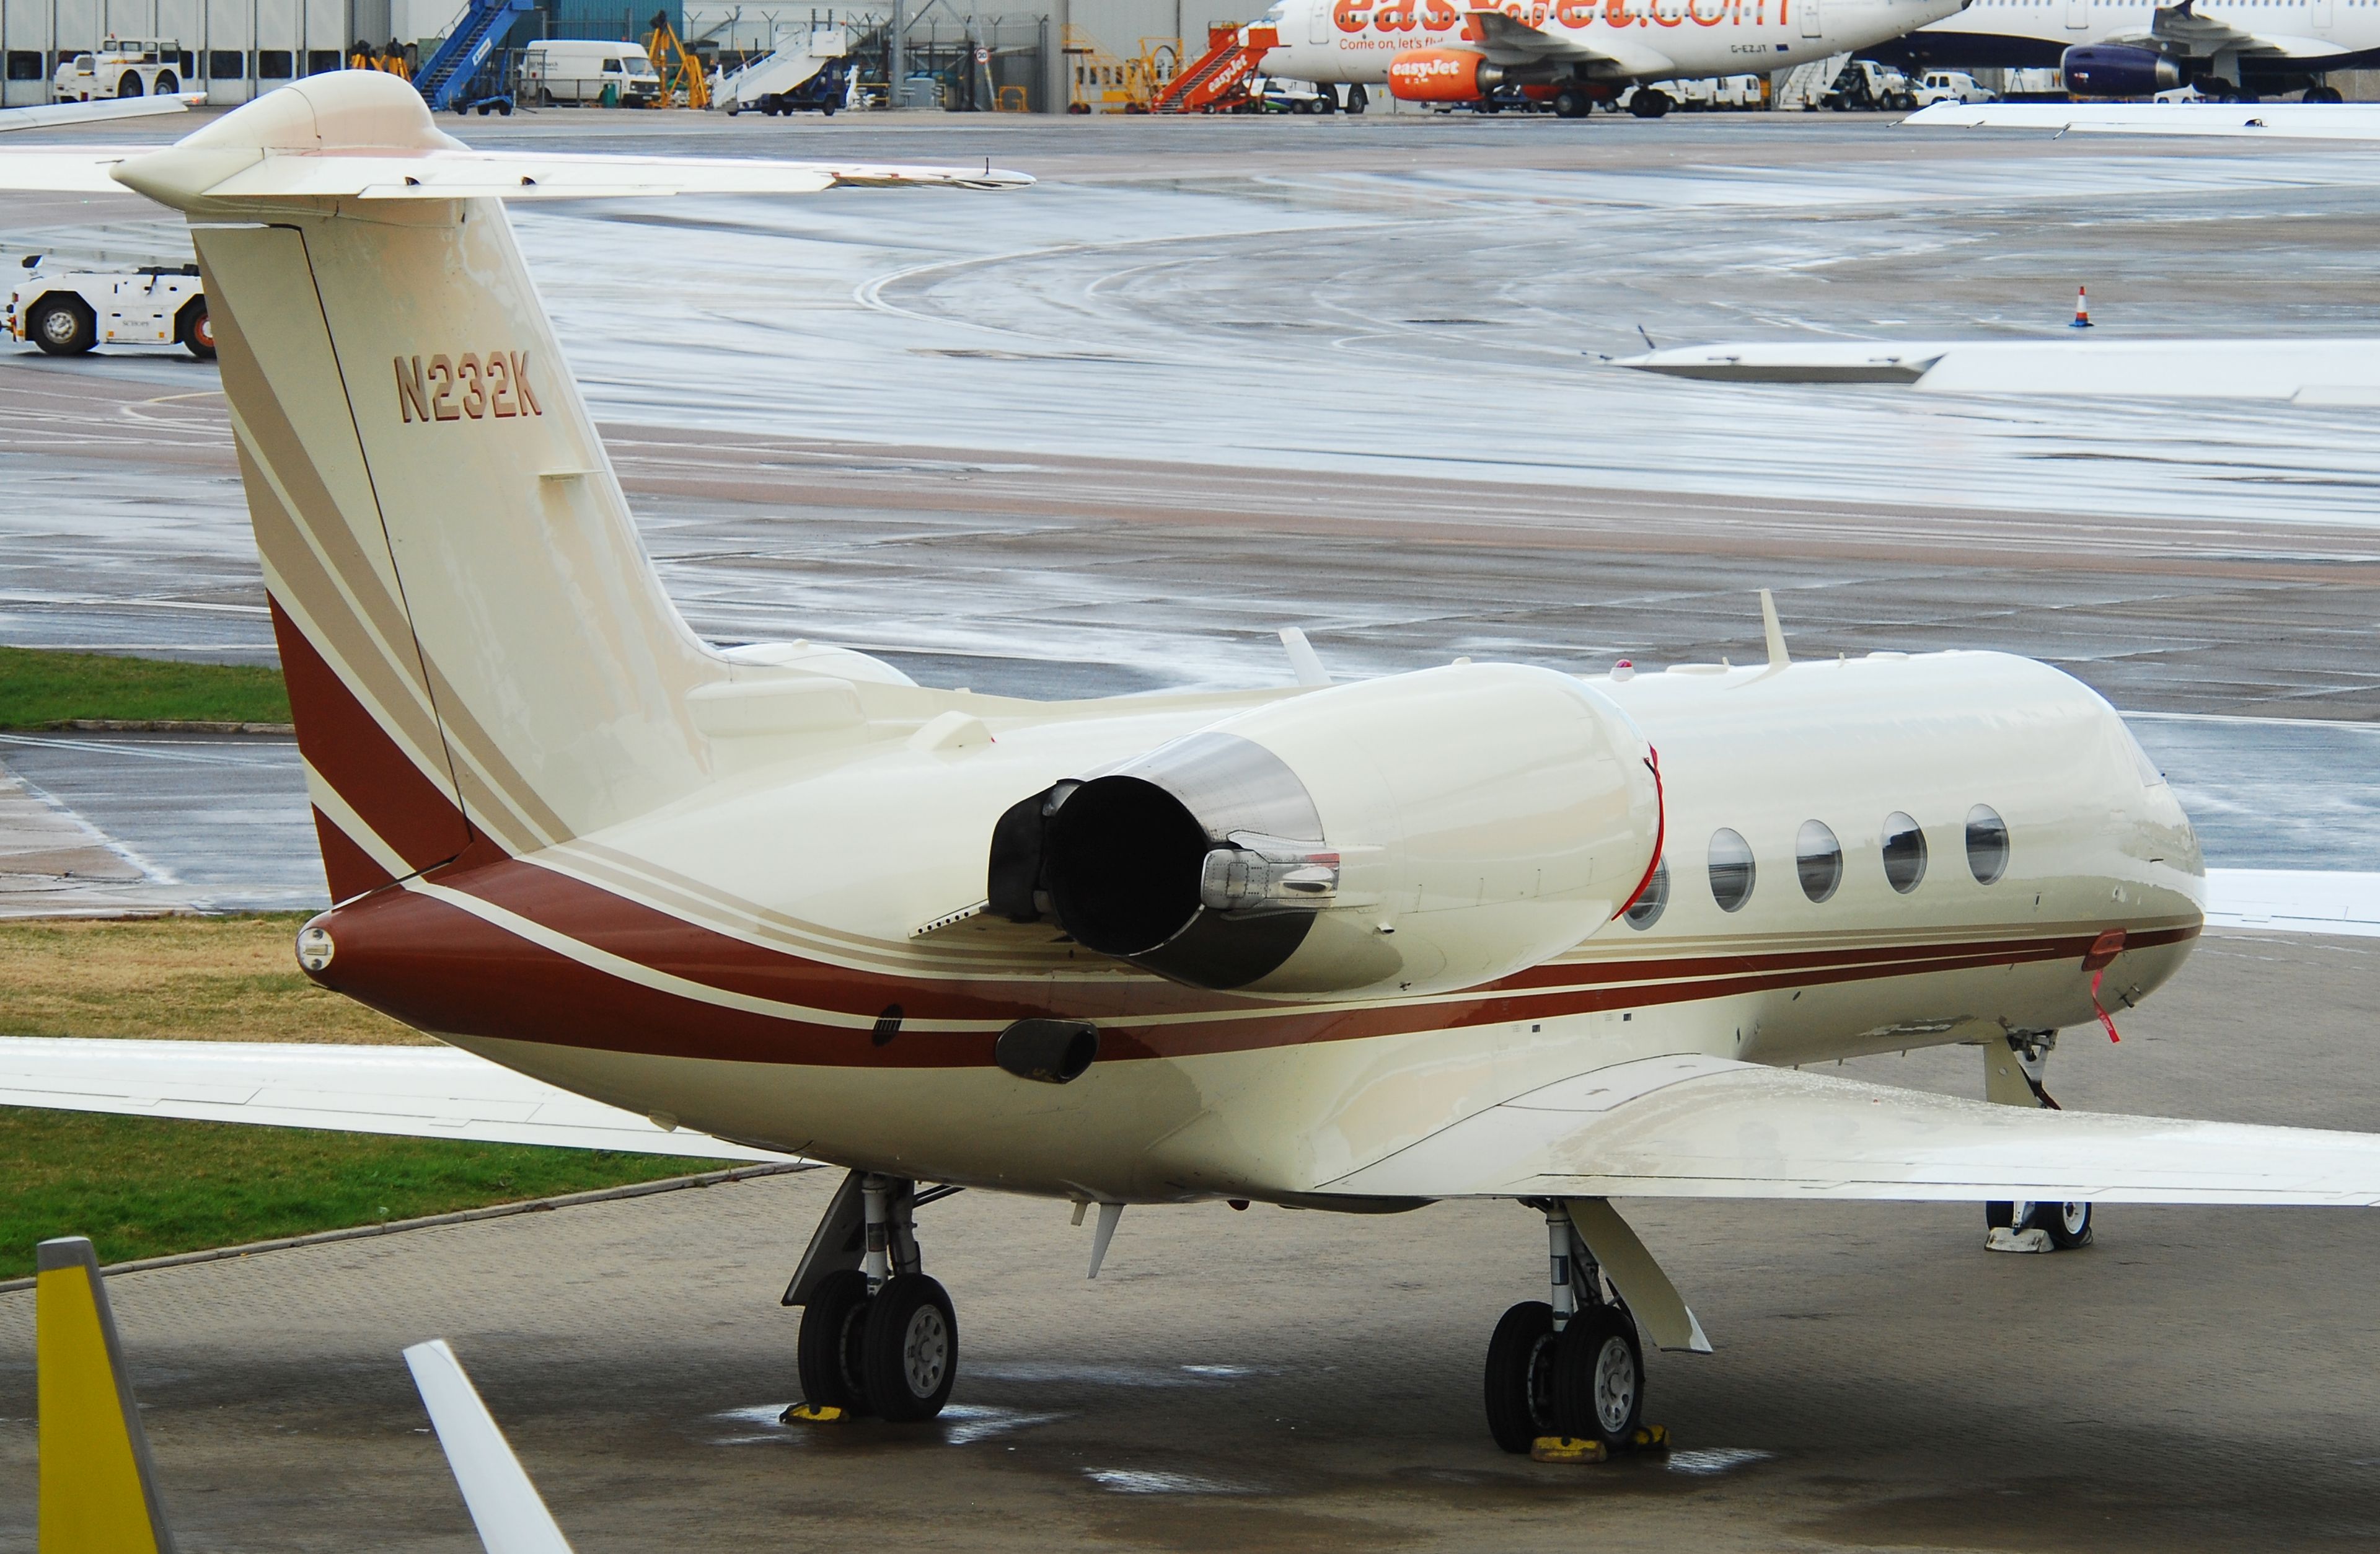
x: 480, y: 653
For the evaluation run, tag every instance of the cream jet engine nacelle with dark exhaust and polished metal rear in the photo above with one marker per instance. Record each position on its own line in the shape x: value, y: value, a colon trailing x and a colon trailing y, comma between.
x: 1417, y: 834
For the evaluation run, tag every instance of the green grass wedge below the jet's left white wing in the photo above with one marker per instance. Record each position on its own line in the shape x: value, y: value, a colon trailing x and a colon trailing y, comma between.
x: 144, y: 1186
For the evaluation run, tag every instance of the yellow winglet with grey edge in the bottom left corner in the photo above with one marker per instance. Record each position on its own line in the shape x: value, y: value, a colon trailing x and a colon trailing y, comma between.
x: 99, y: 1493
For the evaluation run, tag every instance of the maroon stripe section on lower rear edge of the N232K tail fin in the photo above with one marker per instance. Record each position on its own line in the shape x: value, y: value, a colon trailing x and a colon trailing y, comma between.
x: 349, y: 751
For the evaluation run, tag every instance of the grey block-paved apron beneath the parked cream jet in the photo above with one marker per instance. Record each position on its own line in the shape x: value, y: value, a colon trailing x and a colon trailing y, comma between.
x: 2200, y: 1379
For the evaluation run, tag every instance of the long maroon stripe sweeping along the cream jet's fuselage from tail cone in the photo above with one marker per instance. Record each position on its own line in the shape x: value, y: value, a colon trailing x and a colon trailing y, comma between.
x: 451, y: 972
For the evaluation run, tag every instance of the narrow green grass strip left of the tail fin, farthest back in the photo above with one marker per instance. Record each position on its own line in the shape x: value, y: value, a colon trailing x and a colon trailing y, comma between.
x: 49, y: 689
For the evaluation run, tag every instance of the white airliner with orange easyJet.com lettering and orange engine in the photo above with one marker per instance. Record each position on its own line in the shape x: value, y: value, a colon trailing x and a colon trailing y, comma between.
x: 1572, y: 54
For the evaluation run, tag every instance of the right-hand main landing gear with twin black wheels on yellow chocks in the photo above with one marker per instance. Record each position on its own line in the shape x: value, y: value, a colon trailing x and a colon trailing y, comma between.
x: 1567, y: 1377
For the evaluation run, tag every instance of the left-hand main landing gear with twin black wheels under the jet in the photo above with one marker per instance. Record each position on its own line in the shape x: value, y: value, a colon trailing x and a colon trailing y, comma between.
x: 877, y: 1339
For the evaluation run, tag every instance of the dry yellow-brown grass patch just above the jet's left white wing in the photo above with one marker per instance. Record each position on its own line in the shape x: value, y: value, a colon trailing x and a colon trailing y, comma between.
x: 227, y: 979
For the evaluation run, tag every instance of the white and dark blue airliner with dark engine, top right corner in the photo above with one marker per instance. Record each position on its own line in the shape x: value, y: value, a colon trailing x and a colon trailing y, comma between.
x: 2136, y: 49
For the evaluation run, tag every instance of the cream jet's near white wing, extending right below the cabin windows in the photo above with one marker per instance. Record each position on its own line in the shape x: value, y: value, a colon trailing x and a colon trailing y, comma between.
x: 1703, y: 1127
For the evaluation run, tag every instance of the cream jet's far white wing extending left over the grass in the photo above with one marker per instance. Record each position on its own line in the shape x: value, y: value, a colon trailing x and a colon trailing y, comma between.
x: 406, y: 1091
